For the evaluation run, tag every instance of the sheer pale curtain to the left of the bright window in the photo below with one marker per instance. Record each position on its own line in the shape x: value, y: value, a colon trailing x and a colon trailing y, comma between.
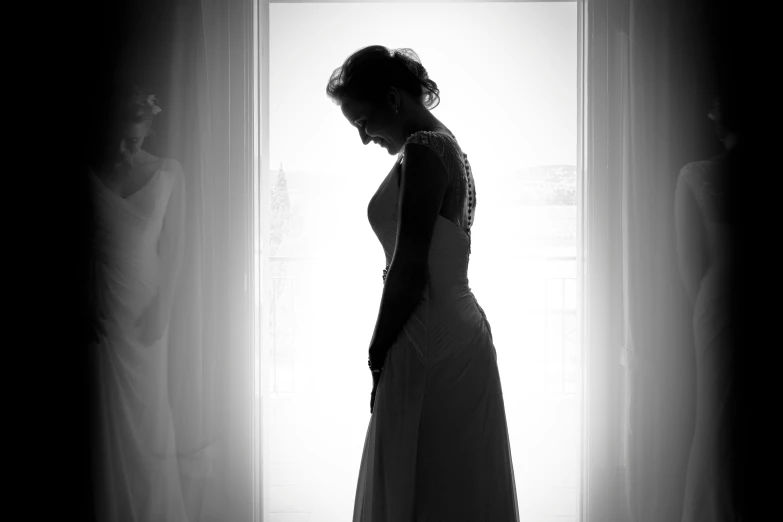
x: 196, y: 57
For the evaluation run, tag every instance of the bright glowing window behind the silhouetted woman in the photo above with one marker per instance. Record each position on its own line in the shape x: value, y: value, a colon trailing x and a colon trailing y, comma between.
x: 508, y: 78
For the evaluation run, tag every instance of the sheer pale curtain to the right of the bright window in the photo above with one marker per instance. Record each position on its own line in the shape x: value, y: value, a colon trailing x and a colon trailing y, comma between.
x: 652, y: 70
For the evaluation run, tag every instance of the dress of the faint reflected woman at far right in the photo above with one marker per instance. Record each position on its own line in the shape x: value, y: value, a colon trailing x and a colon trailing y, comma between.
x: 709, y: 487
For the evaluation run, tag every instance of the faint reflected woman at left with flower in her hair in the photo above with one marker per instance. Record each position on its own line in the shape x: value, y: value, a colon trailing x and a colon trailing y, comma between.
x: 139, y: 210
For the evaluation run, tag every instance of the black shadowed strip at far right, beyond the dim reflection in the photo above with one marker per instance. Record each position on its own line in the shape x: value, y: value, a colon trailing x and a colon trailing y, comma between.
x: 740, y: 51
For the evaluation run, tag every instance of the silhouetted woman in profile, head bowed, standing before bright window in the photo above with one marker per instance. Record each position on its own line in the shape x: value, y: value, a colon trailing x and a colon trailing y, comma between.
x: 437, y: 445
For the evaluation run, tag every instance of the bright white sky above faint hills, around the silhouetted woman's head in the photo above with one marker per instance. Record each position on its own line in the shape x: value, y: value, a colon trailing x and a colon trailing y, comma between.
x: 500, y: 72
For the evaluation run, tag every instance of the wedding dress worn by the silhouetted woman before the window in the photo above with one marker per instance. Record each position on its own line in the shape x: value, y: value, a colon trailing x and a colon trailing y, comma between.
x: 437, y: 445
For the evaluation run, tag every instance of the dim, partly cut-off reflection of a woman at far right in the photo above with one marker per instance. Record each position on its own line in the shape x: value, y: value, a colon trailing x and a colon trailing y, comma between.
x: 705, y: 230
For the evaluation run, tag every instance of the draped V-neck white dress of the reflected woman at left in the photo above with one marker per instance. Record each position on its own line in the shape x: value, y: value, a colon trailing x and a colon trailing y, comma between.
x: 136, y: 477
